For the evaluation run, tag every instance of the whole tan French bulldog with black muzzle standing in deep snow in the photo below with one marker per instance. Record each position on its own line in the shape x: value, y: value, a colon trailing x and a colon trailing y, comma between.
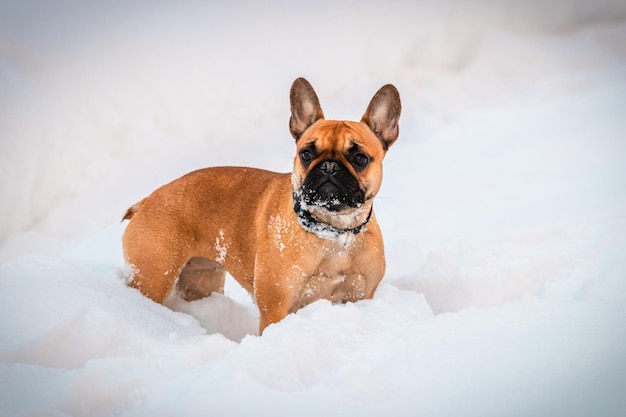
x: 289, y: 239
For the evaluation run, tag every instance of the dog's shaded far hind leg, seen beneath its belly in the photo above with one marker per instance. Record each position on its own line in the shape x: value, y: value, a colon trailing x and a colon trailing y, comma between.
x: 200, y: 278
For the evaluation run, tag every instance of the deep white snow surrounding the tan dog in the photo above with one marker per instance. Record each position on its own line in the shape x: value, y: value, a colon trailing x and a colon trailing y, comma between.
x: 503, y: 207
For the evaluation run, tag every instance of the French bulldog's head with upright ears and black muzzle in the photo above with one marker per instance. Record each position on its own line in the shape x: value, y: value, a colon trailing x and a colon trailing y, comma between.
x: 338, y: 165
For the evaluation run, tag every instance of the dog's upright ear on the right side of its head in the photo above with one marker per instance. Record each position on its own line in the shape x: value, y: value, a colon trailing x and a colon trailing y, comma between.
x: 383, y: 113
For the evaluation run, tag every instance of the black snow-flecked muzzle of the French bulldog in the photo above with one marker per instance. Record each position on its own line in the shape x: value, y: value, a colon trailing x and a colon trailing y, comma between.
x: 331, y: 185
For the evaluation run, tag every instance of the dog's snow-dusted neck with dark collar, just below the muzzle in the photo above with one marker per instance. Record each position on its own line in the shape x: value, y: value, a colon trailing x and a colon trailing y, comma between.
x: 332, y: 225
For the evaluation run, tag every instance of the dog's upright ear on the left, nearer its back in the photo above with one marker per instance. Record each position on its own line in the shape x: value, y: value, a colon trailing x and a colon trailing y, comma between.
x: 305, y: 107
